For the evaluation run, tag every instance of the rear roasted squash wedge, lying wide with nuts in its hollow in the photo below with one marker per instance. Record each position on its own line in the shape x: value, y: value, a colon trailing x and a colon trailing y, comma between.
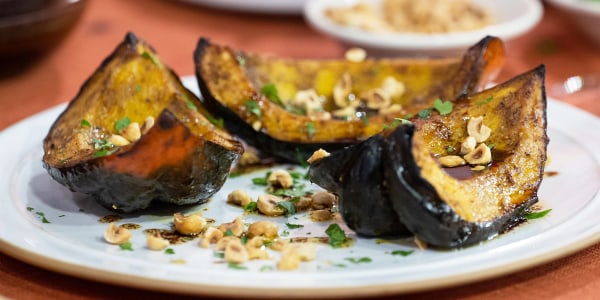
x: 289, y: 108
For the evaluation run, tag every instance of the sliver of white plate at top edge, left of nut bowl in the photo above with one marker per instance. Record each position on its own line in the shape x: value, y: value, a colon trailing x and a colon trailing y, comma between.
x: 287, y: 7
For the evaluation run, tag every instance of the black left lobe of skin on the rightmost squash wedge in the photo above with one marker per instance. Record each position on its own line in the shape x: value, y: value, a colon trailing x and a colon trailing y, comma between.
x: 356, y: 175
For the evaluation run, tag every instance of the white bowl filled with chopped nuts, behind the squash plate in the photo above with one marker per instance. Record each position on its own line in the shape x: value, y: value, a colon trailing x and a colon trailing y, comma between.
x: 508, y: 19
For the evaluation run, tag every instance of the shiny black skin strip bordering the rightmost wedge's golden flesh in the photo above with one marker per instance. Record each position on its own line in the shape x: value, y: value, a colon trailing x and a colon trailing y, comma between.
x: 421, y: 209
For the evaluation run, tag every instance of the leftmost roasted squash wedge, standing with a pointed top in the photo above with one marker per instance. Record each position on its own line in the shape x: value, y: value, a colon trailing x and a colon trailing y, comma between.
x: 177, y: 156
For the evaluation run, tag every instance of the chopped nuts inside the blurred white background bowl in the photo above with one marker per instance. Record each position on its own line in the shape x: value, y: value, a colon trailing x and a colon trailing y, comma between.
x: 425, y: 16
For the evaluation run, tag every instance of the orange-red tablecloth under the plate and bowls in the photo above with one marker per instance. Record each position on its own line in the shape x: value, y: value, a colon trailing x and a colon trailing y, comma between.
x: 173, y: 29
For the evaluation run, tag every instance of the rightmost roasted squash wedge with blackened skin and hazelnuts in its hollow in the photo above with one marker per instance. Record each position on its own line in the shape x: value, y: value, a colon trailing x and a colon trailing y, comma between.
x: 442, y: 206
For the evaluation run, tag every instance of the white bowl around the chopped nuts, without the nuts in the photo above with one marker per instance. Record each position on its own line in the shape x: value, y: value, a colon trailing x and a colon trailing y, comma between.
x: 512, y: 18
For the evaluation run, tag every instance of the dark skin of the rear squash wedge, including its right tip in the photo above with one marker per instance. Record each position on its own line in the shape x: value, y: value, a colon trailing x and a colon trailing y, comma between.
x: 470, y: 76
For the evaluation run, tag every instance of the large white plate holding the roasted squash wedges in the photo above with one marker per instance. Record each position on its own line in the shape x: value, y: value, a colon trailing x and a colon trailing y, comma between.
x: 72, y: 242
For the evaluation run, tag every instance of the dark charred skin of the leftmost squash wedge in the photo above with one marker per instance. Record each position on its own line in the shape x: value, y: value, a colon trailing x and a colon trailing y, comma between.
x: 207, y: 169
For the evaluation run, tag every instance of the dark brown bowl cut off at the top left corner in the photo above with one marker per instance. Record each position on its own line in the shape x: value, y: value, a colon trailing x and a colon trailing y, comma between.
x: 31, y: 28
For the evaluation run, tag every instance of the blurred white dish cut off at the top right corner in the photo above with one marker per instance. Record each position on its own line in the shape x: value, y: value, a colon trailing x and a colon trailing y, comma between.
x: 584, y: 14
